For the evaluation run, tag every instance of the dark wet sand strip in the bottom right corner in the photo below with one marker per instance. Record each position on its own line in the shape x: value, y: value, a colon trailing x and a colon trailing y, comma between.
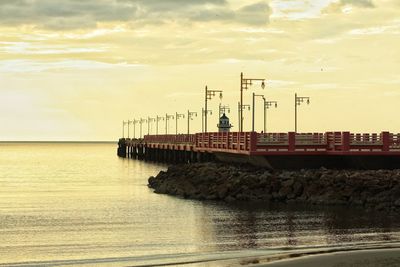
x: 362, y: 258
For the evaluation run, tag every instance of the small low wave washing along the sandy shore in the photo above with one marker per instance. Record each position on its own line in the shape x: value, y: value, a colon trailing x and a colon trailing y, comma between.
x: 219, y: 258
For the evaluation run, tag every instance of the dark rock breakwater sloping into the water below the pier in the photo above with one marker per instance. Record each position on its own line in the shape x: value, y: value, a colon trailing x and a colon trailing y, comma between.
x: 373, y: 189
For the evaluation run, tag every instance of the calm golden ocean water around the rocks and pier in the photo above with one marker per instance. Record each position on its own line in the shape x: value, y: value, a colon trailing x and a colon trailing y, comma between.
x: 81, y: 205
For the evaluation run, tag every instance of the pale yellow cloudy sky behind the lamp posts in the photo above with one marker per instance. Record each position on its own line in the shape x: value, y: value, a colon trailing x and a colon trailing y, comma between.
x: 75, y: 69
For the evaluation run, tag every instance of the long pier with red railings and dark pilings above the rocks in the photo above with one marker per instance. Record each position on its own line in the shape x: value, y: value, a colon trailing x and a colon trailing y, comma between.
x: 272, y: 150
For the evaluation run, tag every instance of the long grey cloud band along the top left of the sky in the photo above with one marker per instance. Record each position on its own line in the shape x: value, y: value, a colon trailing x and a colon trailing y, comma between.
x: 75, y: 14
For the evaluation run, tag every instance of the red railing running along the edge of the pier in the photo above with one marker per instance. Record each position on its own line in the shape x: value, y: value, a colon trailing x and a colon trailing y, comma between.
x: 264, y: 143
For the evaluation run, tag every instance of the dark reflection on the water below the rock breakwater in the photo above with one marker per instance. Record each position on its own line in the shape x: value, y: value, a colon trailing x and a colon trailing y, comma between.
x: 244, y: 226
